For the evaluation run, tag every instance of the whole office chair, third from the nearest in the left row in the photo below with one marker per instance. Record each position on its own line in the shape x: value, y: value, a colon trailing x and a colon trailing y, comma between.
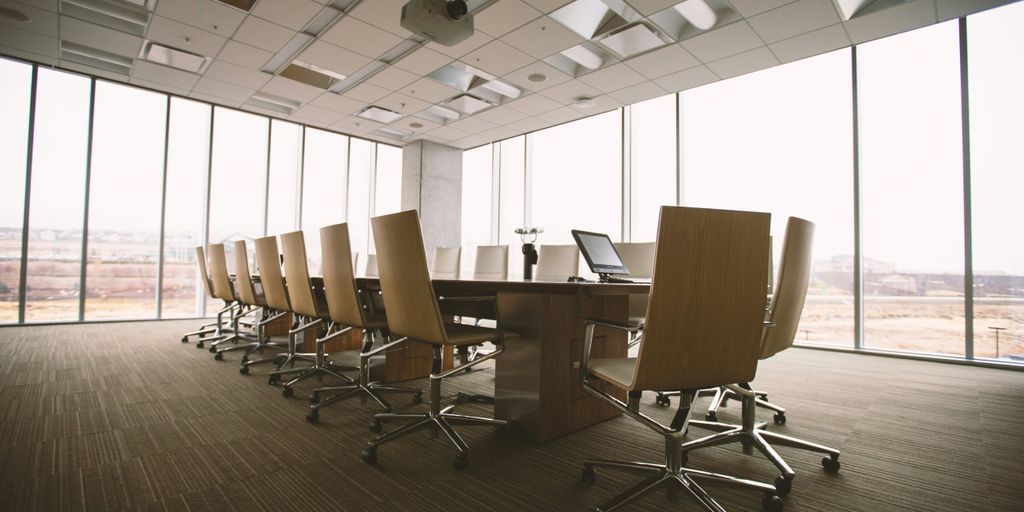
x: 311, y: 313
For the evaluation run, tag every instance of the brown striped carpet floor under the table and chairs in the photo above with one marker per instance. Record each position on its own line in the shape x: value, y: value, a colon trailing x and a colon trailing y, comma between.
x: 124, y: 417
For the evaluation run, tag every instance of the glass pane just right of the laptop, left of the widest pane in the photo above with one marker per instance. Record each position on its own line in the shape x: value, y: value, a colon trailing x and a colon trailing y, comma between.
x: 654, y: 164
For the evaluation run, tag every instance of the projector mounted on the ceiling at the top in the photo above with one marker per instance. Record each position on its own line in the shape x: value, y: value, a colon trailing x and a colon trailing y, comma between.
x: 448, y: 23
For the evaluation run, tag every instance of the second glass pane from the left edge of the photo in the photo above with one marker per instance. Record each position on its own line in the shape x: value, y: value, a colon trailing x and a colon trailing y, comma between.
x: 59, y: 161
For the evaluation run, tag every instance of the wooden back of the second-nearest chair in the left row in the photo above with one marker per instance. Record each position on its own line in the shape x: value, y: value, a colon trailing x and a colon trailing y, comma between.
x: 339, y: 280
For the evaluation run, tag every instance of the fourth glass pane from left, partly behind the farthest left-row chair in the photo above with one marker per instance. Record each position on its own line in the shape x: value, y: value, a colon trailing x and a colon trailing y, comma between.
x: 188, y: 169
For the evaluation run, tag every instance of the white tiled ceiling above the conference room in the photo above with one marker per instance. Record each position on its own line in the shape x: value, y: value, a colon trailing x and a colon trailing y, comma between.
x: 513, y: 39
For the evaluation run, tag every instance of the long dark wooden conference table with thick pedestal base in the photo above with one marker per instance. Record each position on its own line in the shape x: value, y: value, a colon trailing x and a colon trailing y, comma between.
x: 537, y: 379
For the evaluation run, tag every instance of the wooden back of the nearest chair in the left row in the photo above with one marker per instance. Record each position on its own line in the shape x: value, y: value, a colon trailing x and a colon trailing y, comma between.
x: 409, y: 296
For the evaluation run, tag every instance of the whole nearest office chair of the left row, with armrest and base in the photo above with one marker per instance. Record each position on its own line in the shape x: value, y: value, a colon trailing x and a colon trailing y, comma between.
x: 413, y: 314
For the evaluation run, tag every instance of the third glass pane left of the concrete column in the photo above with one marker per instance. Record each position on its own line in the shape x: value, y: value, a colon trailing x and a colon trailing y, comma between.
x: 324, y: 195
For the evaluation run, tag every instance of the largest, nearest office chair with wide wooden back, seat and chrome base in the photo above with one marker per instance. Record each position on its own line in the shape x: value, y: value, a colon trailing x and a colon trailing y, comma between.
x: 705, y: 313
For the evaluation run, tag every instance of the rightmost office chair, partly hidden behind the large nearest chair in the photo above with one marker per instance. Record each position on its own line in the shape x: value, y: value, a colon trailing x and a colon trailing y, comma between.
x: 778, y: 335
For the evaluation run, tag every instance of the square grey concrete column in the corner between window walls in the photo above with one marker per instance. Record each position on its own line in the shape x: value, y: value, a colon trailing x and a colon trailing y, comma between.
x: 432, y: 183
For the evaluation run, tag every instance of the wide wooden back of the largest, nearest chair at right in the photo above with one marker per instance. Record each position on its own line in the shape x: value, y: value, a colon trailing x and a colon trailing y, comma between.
x: 706, y: 312
